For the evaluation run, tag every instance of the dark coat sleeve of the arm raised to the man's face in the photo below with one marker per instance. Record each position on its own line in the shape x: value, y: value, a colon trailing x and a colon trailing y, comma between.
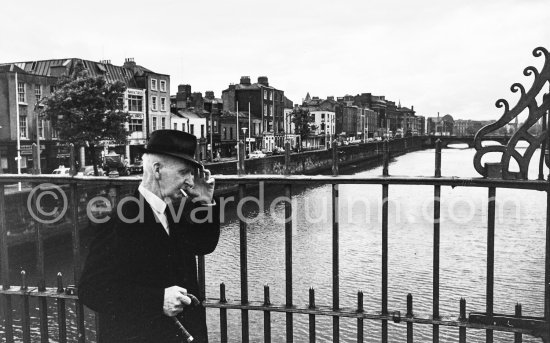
x: 199, y: 229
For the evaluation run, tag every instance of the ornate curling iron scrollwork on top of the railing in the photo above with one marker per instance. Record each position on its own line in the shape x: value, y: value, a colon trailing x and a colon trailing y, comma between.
x: 528, y: 101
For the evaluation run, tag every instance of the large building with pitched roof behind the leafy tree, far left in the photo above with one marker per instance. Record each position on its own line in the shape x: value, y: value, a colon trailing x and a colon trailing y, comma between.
x: 147, y: 100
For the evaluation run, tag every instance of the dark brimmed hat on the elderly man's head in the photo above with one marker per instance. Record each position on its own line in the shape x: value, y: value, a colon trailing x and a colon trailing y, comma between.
x: 173, y: 143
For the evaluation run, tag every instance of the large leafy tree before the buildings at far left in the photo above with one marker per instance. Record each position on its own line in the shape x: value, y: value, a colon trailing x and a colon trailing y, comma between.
x: 87, y: 111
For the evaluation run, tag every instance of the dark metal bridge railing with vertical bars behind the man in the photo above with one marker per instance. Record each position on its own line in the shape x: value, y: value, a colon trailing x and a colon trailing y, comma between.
x: 487, y: 320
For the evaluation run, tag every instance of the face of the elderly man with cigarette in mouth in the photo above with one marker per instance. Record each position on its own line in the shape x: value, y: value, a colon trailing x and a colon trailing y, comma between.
x: 176, y: 175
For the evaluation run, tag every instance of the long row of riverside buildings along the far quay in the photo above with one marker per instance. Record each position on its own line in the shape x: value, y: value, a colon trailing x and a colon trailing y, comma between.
x: 256, y: 113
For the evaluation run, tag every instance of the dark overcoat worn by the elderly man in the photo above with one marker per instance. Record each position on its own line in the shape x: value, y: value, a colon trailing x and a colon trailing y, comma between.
x: 132, y: 260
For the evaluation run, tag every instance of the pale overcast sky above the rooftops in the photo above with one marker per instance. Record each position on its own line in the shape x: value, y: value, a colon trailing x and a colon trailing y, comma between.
x: 452, y: 57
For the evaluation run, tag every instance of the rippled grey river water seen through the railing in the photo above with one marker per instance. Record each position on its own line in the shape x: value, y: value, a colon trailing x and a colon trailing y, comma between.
x: 519, y: 253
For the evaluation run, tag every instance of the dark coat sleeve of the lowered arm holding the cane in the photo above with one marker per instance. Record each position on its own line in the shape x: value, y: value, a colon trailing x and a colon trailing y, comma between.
x: 104, y: 285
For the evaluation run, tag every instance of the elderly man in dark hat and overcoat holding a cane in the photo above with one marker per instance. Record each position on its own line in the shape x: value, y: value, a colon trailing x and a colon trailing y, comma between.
x: 141, y: 271
